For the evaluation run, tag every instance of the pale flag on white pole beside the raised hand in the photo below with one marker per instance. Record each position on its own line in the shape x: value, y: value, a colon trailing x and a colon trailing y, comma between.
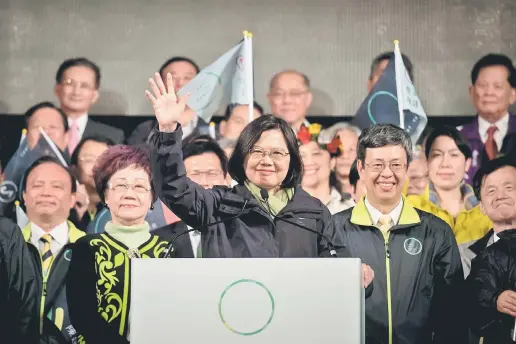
x: 224, y: 81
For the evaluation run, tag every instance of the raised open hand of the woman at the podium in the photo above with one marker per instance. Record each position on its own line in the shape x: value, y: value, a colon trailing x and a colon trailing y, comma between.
x: 167, y: 107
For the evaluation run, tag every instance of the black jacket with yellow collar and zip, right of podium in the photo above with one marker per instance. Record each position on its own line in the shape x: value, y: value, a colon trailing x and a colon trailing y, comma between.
x: 418, y: 277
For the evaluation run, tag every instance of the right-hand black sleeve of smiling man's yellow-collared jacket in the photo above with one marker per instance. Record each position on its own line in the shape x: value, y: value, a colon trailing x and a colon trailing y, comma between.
x: 447, y: 314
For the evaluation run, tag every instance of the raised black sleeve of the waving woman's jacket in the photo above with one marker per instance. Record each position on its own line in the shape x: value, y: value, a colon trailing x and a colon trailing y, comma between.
x: 188, y: 200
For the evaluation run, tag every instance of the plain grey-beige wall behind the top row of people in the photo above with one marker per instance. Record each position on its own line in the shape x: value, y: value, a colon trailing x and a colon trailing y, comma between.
x: 332, y: 41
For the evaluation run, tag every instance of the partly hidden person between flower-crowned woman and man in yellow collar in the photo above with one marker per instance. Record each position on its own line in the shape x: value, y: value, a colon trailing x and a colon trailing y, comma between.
x: 348, y: 135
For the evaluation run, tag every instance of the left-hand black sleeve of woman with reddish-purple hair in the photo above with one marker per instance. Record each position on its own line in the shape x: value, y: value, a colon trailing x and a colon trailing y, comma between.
x: 81, y: 294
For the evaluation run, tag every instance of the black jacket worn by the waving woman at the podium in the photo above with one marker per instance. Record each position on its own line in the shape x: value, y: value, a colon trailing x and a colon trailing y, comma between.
x: 253, y: 234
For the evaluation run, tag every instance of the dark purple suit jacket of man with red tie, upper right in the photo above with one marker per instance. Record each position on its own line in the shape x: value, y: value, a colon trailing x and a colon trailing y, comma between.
x: 471, y: 135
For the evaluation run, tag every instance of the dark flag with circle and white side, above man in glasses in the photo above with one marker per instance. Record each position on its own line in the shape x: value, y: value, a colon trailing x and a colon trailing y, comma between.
x: 393, y: 100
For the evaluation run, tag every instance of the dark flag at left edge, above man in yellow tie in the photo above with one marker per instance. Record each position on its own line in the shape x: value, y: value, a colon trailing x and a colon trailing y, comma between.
x: 18, y: 165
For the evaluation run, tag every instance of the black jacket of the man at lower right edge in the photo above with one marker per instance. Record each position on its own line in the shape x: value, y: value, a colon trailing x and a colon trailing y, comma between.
x: 492, y: 272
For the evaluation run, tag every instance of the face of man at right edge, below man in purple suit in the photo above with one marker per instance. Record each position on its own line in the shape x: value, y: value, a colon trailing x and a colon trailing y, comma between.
x: 498, y: 194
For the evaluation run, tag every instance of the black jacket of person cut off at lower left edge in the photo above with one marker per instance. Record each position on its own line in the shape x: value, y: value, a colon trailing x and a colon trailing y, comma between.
x: 18, y: 314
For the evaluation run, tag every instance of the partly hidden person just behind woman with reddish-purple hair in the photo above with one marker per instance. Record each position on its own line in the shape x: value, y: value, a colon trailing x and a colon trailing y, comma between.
x: 83, y: 160
